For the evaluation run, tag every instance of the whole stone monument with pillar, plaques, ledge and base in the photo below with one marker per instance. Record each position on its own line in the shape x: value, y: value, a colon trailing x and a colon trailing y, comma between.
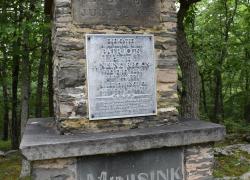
x: 115, y: 98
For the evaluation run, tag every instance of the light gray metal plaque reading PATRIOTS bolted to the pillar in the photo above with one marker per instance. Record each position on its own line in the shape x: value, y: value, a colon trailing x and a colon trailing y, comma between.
x: 121, y: 76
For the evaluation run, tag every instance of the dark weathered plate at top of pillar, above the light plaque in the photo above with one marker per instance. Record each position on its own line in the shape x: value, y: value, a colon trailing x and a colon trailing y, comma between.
x: 116, y: 12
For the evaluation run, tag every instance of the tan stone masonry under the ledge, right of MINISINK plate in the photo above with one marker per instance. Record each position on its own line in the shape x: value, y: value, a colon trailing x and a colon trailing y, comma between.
x: 199, y: 161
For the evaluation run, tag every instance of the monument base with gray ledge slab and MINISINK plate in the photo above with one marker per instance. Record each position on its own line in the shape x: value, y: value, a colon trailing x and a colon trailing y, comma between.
x: 168, y: 152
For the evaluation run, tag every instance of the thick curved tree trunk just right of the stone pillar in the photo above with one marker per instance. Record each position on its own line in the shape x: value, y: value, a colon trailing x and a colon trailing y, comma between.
x: 190, y: 95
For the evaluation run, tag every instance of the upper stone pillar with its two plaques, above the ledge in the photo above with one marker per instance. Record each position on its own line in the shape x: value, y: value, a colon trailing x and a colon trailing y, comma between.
x: 115, y: 63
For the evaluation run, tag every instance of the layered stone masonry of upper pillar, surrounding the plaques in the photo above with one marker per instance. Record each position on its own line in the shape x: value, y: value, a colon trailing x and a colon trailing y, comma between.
x: 70, y: 90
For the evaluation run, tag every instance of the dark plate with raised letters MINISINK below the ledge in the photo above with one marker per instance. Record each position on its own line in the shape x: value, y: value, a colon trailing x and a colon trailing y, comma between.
x: 156, y: 164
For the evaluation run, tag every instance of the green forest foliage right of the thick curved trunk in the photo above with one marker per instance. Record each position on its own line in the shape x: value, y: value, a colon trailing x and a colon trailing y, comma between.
x: 207, y: 27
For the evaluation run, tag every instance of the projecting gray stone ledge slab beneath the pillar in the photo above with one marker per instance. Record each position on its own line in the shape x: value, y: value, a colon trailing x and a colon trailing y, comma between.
x: 42, y: 141
